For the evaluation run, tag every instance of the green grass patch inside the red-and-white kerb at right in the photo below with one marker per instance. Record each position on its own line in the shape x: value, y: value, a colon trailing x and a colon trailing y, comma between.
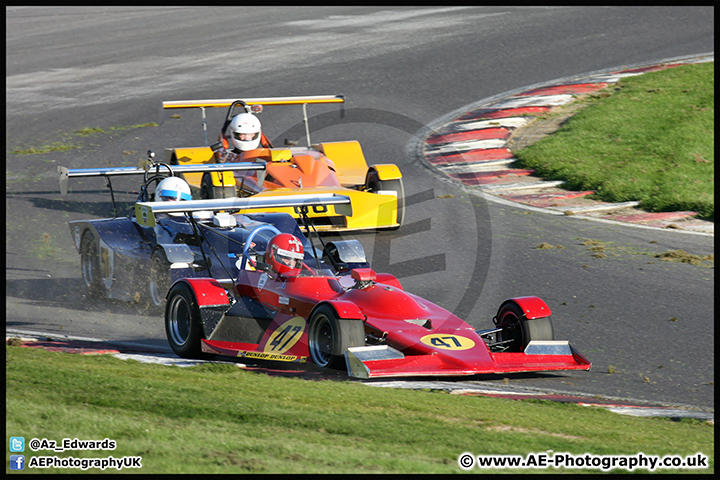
x: 650, y: 139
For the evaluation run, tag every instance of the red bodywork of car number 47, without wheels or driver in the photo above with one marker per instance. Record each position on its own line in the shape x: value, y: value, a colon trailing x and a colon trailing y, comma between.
x: 430, y: 340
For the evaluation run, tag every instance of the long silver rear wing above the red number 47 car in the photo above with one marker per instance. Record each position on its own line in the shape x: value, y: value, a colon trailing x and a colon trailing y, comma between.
x: 145, y: 211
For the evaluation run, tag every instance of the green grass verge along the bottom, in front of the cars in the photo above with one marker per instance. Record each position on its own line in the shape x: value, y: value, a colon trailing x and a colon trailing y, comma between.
x: 218, y: 418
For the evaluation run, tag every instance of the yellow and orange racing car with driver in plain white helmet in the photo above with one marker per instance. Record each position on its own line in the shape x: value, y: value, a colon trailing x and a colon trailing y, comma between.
x: 376, y: 191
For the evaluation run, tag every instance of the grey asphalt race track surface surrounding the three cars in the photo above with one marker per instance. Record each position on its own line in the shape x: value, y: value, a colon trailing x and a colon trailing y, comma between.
x: 401, y: 69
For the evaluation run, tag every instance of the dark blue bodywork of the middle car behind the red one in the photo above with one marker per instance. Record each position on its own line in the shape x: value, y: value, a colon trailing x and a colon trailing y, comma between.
x: 201, y: 246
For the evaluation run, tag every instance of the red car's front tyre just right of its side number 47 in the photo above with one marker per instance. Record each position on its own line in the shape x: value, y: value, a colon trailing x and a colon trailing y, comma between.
x: 329, y: 337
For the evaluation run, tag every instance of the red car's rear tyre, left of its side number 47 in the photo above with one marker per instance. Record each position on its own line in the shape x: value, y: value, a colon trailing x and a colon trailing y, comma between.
x: 182, y: 322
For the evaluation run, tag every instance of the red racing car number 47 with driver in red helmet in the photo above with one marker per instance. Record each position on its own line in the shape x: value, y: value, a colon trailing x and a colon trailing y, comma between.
x: 282, y: 309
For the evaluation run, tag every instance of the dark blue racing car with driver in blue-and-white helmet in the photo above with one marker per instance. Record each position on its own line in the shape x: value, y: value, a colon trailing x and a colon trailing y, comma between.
x: 138, y: 256
